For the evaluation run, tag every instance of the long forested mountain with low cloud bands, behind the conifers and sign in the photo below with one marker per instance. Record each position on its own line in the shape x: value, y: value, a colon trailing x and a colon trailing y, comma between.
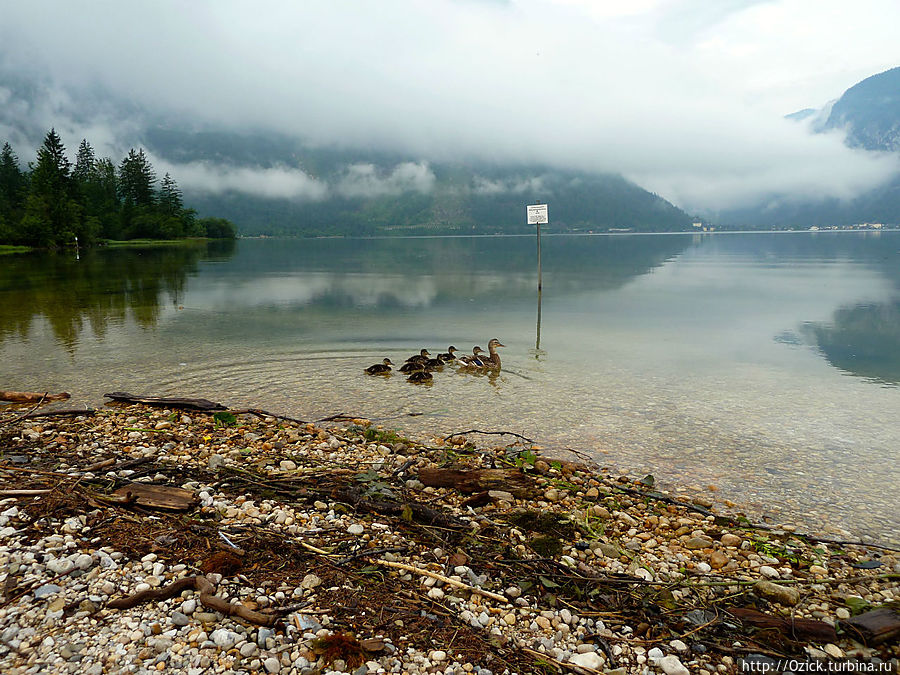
x: 270, y: 183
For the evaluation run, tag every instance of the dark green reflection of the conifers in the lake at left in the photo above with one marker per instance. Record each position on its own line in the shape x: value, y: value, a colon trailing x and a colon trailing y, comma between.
x: 103, y: 286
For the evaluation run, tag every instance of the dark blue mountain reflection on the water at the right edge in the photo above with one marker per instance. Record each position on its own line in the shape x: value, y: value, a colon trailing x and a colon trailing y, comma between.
x: 862, y: 340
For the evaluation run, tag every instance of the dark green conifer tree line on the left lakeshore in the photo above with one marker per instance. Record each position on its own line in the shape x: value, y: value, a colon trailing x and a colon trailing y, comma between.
x: 55, y: 203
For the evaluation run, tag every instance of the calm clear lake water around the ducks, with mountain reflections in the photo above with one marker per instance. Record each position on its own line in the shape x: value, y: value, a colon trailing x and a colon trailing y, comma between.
x: 767, y: 365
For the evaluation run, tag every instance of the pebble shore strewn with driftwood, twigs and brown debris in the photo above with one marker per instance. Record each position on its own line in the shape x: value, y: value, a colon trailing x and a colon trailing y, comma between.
x: 139, y: 539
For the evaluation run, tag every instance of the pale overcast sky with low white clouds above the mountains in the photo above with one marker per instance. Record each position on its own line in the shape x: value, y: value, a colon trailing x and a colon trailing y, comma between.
x: 684, y: 97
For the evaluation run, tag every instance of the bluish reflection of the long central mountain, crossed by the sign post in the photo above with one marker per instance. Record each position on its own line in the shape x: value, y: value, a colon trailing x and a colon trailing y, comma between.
x: 385, y: 273
